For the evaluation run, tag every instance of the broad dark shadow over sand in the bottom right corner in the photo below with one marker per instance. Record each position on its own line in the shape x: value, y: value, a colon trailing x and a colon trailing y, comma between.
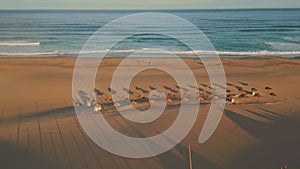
x: 278, y: 145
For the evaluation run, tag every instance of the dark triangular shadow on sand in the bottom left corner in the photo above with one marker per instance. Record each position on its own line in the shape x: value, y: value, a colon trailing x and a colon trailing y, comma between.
x: 14, y: 157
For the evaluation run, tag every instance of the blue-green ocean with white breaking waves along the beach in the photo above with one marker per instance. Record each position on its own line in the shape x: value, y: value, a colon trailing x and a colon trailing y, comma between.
x: 234, y: 33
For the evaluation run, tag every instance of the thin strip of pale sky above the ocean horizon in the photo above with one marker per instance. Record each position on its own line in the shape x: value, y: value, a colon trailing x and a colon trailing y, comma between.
x: 147, y: 4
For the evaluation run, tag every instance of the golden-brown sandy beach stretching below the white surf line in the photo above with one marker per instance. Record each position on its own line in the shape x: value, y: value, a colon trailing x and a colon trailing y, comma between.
x: 39, y: 129
